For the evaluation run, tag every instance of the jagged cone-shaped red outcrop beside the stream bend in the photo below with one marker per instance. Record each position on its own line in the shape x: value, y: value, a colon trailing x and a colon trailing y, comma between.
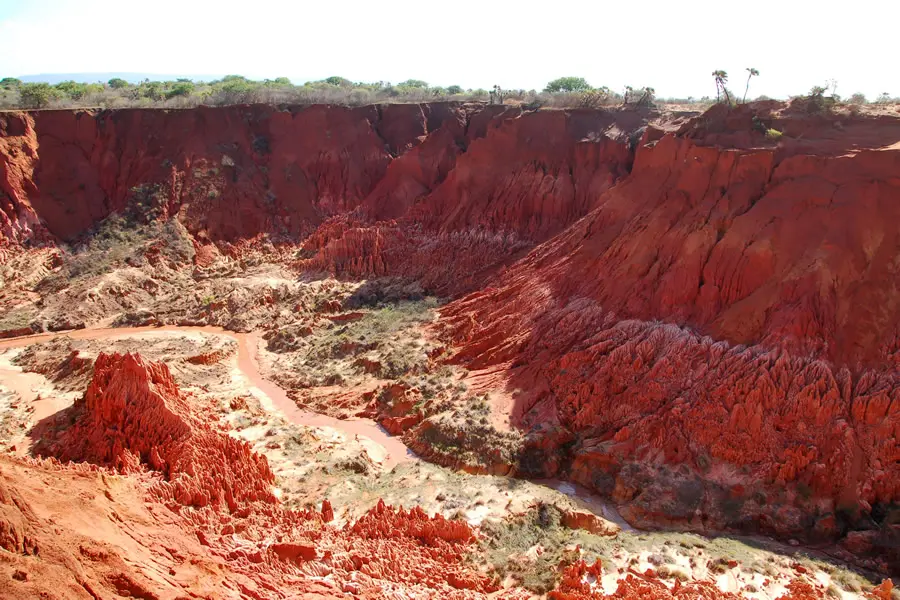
x: 133, y: 417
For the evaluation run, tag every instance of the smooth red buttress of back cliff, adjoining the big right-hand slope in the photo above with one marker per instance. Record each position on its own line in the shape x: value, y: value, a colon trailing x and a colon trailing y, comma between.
x: 530, y: 174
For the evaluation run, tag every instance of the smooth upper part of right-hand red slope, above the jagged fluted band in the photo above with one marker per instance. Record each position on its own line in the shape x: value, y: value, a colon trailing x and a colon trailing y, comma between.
x: 795, y: 255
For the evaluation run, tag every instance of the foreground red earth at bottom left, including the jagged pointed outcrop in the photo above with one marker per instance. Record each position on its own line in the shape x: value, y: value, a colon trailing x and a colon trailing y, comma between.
x: 134, y: 418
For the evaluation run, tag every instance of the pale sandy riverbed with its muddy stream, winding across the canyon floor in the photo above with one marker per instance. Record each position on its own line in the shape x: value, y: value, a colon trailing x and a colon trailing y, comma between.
x: 527, y: 528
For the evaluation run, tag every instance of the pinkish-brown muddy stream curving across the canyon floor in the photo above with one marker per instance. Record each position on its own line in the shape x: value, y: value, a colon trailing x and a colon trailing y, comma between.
x: 248, y: 348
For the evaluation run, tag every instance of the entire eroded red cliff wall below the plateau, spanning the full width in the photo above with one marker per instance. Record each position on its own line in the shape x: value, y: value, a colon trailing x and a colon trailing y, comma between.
x: 706, y: 329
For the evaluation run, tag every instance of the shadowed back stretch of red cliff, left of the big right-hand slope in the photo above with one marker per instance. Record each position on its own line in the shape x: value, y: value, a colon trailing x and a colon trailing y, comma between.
x: 395, y: 188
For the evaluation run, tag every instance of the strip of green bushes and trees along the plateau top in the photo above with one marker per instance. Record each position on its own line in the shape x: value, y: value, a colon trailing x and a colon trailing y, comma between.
x: 563, y: 92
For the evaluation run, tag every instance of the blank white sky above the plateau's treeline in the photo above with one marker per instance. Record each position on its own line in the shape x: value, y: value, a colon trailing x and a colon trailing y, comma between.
x: 517, y: 44
